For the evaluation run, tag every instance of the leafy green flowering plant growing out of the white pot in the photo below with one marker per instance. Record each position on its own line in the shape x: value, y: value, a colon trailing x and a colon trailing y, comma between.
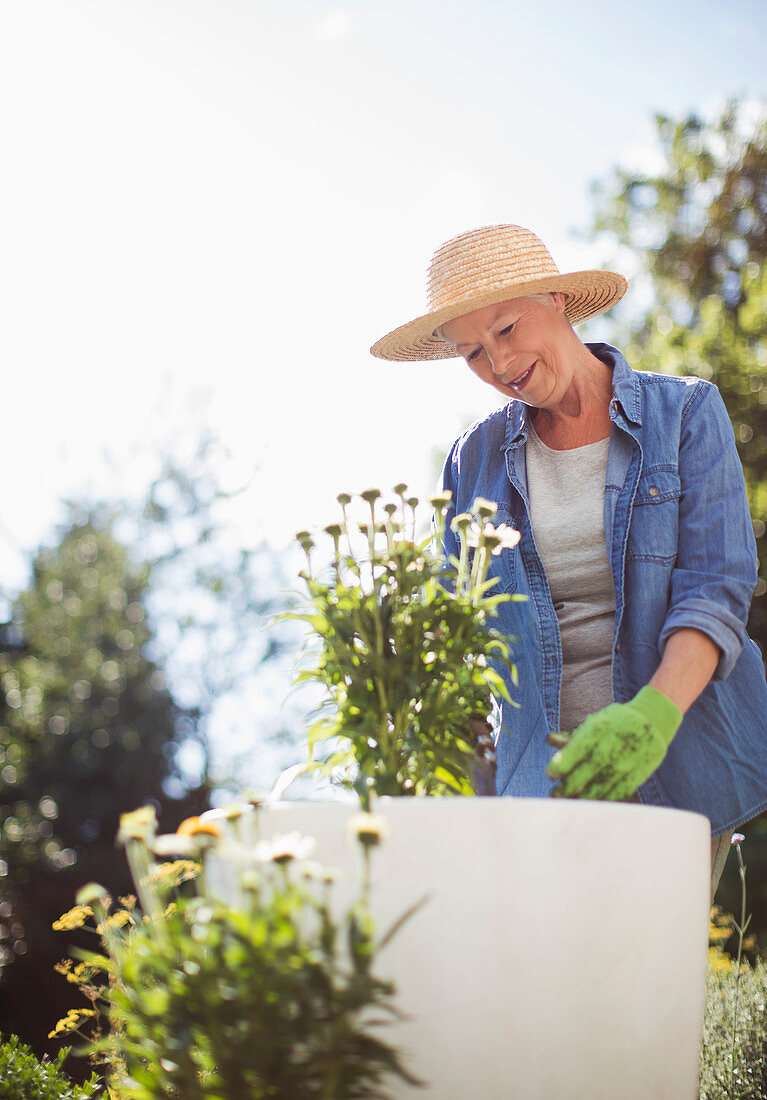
x: 408, y: 648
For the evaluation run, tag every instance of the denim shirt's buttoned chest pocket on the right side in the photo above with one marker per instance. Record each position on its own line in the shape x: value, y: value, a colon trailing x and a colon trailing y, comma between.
x: 654, y: 532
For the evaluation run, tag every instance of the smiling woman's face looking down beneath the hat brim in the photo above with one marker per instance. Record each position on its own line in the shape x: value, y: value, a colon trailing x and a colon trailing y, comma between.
x: 519, y: 347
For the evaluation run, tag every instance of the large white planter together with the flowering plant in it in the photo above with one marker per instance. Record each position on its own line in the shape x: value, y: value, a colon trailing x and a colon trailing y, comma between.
x: 562, y: 952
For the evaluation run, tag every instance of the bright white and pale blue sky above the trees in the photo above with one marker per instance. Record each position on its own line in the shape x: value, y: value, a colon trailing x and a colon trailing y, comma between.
x: 232, y: 200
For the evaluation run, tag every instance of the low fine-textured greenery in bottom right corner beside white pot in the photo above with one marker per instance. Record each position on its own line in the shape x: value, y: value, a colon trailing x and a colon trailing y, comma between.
x: 726, y: 994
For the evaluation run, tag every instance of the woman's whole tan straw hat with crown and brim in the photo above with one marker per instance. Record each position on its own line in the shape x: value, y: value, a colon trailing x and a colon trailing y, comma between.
x: 488, y: 266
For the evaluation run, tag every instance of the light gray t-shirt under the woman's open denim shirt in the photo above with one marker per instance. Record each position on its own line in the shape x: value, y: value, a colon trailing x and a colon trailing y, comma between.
x: 566, y: 491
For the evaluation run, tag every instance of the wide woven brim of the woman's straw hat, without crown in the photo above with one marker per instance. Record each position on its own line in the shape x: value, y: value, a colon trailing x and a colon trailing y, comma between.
x: 587, y: 294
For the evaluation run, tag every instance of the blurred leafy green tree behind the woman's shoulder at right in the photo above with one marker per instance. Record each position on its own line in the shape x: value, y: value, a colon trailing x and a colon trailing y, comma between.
x: 697, y: 235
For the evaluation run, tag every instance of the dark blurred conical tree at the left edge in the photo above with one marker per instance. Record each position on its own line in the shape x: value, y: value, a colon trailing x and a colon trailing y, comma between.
x: 89, y: 732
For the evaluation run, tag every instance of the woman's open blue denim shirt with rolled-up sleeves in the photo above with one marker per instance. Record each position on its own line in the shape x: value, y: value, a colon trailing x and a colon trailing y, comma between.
x: 683, y: 555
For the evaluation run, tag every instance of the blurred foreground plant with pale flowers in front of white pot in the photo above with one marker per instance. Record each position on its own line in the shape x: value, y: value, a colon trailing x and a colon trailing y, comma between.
x: 276, y: 997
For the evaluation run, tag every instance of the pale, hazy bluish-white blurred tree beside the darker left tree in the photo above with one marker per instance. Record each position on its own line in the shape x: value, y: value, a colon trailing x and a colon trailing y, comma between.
x: 211, y: 599
